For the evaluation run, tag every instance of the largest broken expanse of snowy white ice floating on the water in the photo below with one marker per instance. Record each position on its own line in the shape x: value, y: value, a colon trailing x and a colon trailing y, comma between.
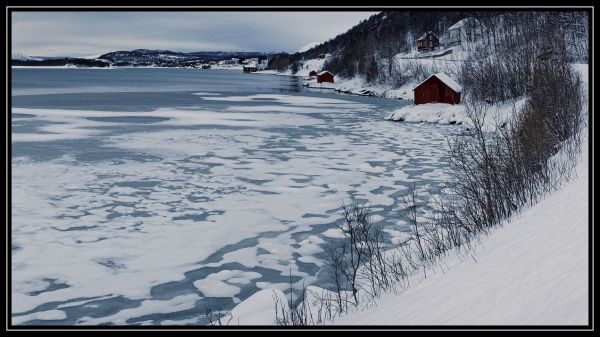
x: 123, y: 228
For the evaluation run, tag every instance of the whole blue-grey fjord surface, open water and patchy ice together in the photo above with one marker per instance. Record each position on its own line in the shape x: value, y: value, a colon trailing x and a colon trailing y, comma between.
x: 144, y: 205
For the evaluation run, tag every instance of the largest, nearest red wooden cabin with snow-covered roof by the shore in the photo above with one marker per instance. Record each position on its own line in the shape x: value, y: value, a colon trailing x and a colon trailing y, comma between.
x: 438, y: 88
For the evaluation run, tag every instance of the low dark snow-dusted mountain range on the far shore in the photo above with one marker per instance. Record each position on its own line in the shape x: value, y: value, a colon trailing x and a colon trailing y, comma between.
x: 138, y: 58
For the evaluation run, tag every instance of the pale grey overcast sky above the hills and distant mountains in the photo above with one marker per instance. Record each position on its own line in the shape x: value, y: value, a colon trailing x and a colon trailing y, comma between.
x: 88, y: 34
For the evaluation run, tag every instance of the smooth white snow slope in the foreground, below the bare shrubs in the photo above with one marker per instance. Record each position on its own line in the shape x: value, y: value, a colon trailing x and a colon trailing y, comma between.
x: 532, y: 271
